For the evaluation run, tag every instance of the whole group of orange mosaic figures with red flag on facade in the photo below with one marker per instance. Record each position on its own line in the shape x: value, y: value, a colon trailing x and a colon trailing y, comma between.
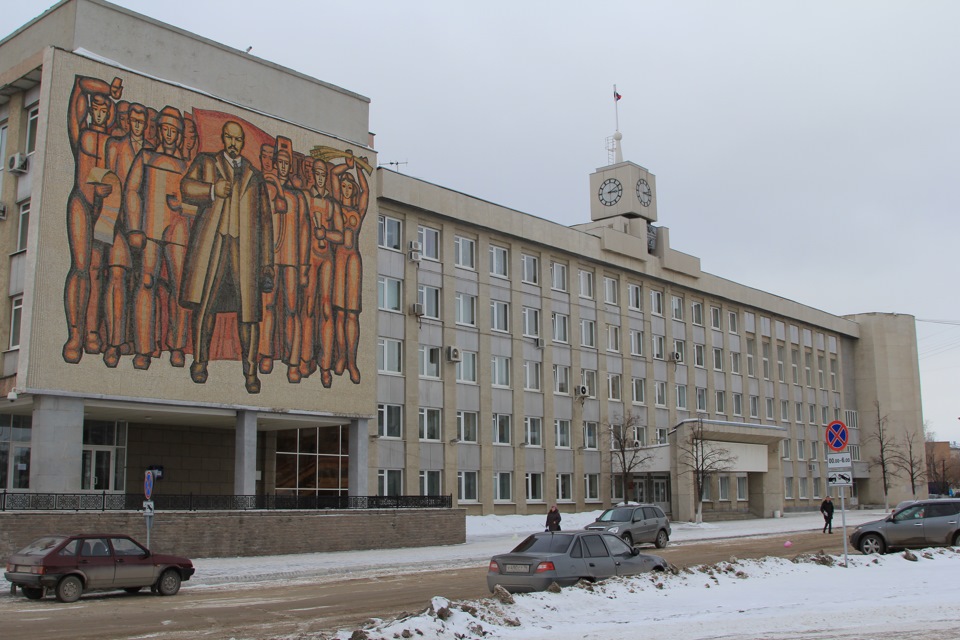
x: 197, y: 236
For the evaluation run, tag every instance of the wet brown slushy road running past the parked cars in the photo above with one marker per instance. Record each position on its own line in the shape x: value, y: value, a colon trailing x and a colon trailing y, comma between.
x: 267, y: 610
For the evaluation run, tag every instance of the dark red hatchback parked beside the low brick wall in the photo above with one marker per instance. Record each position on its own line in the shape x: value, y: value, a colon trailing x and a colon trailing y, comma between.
x: 70, y: 565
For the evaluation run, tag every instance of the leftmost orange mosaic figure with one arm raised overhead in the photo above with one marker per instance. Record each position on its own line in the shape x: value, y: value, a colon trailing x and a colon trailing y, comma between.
x: 89, y: 118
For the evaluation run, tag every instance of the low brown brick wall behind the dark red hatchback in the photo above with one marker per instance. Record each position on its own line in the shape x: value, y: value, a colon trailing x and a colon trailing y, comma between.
x: 218, y: 534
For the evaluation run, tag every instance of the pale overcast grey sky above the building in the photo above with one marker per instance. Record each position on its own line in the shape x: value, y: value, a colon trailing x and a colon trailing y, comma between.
x: 809, y: 149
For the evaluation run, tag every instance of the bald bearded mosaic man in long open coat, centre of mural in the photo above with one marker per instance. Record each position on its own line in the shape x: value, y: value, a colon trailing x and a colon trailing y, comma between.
x: 229, y: 260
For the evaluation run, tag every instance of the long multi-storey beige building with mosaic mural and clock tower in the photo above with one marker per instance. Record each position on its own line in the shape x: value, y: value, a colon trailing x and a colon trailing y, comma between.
x: 208, y: 273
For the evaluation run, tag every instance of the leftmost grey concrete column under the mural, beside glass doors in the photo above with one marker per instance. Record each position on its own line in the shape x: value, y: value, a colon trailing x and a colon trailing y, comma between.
x: 56, y: 444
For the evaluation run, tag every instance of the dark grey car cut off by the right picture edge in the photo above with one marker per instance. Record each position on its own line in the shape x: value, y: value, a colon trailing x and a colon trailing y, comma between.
x: 925, y: 523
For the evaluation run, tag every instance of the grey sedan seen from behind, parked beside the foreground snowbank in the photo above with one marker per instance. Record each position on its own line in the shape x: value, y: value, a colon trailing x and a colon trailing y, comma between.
x: 565, y: 558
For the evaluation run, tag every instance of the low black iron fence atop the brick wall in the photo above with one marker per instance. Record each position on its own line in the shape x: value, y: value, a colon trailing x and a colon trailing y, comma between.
x: 191, y: 502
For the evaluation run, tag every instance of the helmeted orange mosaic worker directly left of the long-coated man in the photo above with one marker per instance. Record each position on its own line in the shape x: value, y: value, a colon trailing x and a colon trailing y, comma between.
x: 158, y: 231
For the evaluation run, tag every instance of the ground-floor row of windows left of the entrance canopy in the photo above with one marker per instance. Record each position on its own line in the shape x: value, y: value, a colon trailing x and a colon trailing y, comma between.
x: 390, y: 483
